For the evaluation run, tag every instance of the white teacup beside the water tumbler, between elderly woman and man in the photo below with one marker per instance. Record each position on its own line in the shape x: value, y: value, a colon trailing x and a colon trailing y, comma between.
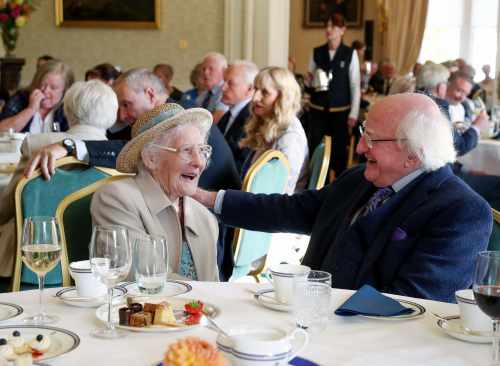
x: 284, y: 276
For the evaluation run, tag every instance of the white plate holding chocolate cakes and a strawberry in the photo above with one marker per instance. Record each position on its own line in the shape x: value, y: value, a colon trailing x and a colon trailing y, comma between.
x: 178, y: 306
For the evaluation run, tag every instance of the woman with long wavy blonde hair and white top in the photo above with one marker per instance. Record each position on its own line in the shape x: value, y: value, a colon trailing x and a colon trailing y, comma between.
x: 274, y: 124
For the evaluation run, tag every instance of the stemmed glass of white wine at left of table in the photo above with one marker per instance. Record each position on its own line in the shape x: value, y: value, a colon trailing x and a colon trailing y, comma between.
x: 41, y: 251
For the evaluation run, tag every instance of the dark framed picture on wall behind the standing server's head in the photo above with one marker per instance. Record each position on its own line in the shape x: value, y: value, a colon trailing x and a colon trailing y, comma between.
x: 316, y: 12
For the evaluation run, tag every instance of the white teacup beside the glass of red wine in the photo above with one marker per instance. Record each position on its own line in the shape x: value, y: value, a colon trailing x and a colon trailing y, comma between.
x: 472, y: 317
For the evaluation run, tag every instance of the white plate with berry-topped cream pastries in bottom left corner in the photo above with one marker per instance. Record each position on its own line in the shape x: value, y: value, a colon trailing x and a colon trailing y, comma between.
x: 61, y: 340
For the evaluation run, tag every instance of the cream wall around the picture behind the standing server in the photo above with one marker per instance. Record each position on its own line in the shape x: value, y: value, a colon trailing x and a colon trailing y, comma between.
x: 303, y: 40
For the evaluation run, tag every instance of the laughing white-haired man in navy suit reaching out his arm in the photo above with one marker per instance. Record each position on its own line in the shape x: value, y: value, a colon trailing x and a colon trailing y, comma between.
x: 403, y: 223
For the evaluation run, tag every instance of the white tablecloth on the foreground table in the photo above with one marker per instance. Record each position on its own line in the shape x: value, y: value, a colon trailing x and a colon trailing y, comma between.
x: 346, y: 341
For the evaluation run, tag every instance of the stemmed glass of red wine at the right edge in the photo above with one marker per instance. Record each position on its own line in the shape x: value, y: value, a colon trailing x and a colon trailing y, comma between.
x: 487, y: 293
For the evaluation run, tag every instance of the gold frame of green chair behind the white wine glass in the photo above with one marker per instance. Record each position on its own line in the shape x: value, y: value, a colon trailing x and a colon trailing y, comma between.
x: 16, y: 278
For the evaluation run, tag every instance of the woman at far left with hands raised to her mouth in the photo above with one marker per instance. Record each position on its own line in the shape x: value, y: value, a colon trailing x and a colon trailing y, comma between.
x: 38, y: 109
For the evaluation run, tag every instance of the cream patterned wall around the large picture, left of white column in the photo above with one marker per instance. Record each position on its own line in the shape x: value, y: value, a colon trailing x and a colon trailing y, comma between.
x: 199, y: 22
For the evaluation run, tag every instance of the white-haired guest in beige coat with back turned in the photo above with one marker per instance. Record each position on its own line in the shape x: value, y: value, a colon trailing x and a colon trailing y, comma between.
x: 90, y: 108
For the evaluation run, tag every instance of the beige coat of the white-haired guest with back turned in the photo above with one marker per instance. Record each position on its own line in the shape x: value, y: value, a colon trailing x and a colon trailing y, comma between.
x: 31, y: 145
